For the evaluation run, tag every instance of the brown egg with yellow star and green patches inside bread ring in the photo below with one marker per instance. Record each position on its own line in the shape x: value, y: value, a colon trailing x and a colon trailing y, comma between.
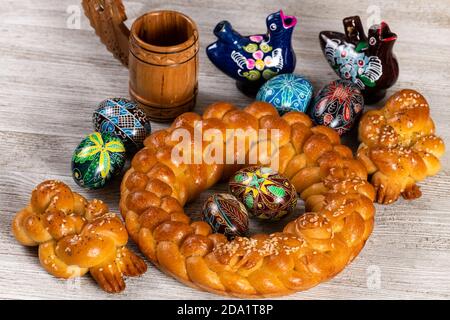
x: 265, y: 193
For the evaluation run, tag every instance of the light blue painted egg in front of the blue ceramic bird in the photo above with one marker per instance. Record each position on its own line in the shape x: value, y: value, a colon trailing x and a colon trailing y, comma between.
x: 287, y: 92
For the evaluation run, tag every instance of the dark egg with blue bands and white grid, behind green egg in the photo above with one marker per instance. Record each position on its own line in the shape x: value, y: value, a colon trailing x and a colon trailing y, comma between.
x: 122, y: 118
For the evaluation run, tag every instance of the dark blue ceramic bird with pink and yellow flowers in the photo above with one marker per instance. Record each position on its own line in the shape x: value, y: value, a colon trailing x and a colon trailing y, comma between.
x: 252, y: 60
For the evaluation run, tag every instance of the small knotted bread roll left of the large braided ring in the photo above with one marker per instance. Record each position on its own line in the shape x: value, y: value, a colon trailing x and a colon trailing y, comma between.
x: 76, y: 236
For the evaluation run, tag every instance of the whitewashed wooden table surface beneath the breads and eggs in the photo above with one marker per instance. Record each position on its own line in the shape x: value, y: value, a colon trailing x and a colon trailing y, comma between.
x: 52, y: 75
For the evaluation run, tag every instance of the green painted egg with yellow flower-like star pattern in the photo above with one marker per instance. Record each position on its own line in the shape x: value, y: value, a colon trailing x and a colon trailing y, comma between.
x: 97, y: 159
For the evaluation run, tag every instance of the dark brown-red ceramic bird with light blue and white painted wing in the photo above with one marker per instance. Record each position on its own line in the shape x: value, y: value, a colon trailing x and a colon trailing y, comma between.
x: 368, y: 61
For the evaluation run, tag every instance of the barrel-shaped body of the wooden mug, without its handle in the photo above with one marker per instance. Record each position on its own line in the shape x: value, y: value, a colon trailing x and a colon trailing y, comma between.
x: 163, y: 64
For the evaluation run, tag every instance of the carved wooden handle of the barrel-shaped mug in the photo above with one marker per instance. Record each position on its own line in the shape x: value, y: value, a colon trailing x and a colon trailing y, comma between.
x: 107, y: 17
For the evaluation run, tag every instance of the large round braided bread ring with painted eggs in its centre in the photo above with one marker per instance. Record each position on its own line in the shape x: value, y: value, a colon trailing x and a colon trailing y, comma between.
x: 311, y: 249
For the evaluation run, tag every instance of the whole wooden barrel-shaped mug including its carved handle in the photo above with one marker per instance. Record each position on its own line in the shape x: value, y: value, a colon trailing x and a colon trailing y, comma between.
x: 161, y: 51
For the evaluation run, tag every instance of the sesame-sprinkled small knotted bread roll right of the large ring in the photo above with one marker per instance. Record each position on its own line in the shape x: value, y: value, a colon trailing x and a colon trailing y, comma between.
x: 398, y: 146
